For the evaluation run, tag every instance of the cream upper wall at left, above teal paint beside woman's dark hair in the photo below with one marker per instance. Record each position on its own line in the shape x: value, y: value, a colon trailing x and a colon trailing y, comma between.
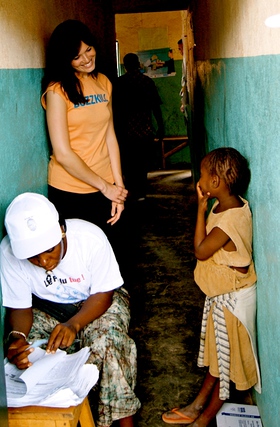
x: 25, y: 27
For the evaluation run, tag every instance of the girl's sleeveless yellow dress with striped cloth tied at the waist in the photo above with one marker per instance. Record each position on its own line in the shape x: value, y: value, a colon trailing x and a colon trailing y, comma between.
x: 228, y: 340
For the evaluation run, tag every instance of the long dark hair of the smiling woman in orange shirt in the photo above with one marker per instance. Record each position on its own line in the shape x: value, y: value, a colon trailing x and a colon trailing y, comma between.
x: 64, y: 46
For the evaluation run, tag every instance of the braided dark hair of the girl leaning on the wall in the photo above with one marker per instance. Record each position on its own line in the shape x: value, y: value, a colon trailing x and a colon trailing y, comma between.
x: 231, y: 166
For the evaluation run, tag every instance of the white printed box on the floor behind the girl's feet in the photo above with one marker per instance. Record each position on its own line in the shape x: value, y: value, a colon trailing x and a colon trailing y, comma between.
x: 238, y: 415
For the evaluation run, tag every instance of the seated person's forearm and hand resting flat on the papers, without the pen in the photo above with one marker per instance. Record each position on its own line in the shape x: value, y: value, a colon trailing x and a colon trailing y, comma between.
x: 64, y: 334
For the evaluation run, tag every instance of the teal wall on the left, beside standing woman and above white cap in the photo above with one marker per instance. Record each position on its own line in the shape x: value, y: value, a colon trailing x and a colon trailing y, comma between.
x: 23, y: 143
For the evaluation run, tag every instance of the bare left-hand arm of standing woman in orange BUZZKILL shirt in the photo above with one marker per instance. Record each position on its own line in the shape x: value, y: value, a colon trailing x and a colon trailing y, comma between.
x: 70, y: 161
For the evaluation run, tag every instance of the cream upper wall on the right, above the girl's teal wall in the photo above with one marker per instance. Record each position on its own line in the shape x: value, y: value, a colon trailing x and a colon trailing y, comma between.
x: 241, y: 31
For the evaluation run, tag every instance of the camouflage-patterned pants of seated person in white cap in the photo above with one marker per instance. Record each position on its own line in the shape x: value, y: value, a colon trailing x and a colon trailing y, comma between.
x: 112, y: 350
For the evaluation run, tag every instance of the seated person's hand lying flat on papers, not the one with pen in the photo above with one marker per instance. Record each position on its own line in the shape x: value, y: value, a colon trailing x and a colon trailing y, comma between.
x: 62, y: 336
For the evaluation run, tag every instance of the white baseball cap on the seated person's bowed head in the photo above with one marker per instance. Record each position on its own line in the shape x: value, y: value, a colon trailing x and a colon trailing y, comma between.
x: 32, y: 223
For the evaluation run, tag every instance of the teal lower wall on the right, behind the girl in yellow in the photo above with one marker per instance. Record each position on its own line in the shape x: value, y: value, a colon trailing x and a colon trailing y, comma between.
x: 242, y: 104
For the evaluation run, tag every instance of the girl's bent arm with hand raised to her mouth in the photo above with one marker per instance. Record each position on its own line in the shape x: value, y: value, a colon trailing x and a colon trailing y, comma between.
x: 205, y: 245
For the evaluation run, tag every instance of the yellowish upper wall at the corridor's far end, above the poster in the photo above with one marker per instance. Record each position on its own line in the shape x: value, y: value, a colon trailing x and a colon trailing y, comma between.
x: 129, y: 28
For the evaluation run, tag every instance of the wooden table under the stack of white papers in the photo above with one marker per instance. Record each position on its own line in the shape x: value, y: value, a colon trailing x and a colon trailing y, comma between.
x: 40, y: 416
